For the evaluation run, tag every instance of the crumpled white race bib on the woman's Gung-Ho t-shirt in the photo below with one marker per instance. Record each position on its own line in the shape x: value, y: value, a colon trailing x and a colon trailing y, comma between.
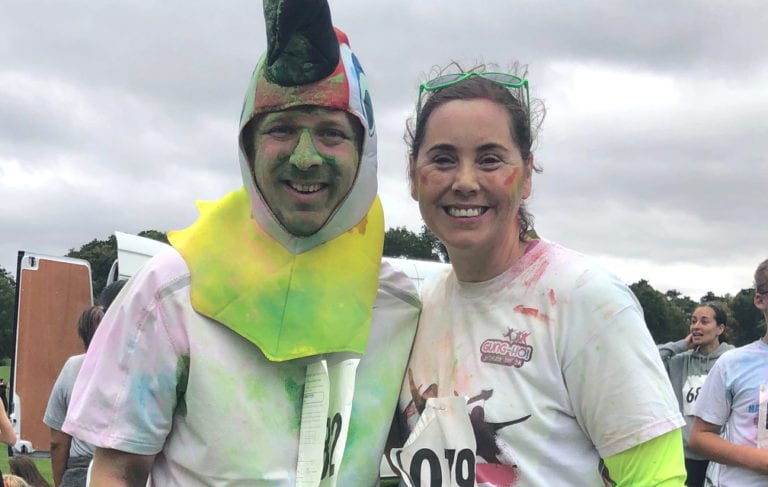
x: 440, y: 452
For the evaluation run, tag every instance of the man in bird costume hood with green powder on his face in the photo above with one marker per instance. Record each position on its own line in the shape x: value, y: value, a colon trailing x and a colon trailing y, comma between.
x: 268, y: 346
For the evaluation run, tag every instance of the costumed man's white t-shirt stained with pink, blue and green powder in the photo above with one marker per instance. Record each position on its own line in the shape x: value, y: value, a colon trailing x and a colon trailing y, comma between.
x: 160, y: 379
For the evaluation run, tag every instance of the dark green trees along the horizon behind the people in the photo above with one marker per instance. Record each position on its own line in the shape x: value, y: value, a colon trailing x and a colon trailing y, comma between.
x: 666, y: 313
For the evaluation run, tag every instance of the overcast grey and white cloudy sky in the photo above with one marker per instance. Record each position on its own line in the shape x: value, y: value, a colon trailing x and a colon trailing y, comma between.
x: 117, y: 115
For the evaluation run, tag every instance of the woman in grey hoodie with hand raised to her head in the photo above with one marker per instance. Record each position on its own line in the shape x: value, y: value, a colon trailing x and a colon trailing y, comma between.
x: 688, y: 361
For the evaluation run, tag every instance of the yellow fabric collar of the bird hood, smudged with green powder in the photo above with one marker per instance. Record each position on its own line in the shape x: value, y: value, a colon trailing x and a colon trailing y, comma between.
x: 290, y: 306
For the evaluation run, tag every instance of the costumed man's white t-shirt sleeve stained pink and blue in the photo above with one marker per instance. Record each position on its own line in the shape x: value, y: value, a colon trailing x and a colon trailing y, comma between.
x: 126, y: 393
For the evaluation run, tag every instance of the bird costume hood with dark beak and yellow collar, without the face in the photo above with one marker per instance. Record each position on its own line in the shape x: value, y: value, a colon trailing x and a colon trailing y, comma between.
x: 293, y: 296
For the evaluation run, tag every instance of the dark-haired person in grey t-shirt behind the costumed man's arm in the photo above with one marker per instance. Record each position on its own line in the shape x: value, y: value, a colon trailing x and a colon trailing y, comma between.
x: 70, y: 456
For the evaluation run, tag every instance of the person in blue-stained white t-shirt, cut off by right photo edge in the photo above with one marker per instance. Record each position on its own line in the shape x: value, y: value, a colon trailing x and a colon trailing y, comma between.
x: 731, y: 425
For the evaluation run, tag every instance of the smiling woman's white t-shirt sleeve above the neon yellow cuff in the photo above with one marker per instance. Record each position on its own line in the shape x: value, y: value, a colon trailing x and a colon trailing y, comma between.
x: 620, y: 392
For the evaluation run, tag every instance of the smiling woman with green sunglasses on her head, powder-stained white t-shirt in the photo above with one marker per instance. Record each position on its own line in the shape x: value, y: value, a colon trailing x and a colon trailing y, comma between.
x: 532, y: 365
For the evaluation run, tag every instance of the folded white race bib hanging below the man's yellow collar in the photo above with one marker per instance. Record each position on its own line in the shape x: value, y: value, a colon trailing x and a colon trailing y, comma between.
x: 325, y: 414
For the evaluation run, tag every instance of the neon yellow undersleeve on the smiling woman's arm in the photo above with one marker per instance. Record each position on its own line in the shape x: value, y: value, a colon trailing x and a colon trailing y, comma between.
x: 658, y: 462
